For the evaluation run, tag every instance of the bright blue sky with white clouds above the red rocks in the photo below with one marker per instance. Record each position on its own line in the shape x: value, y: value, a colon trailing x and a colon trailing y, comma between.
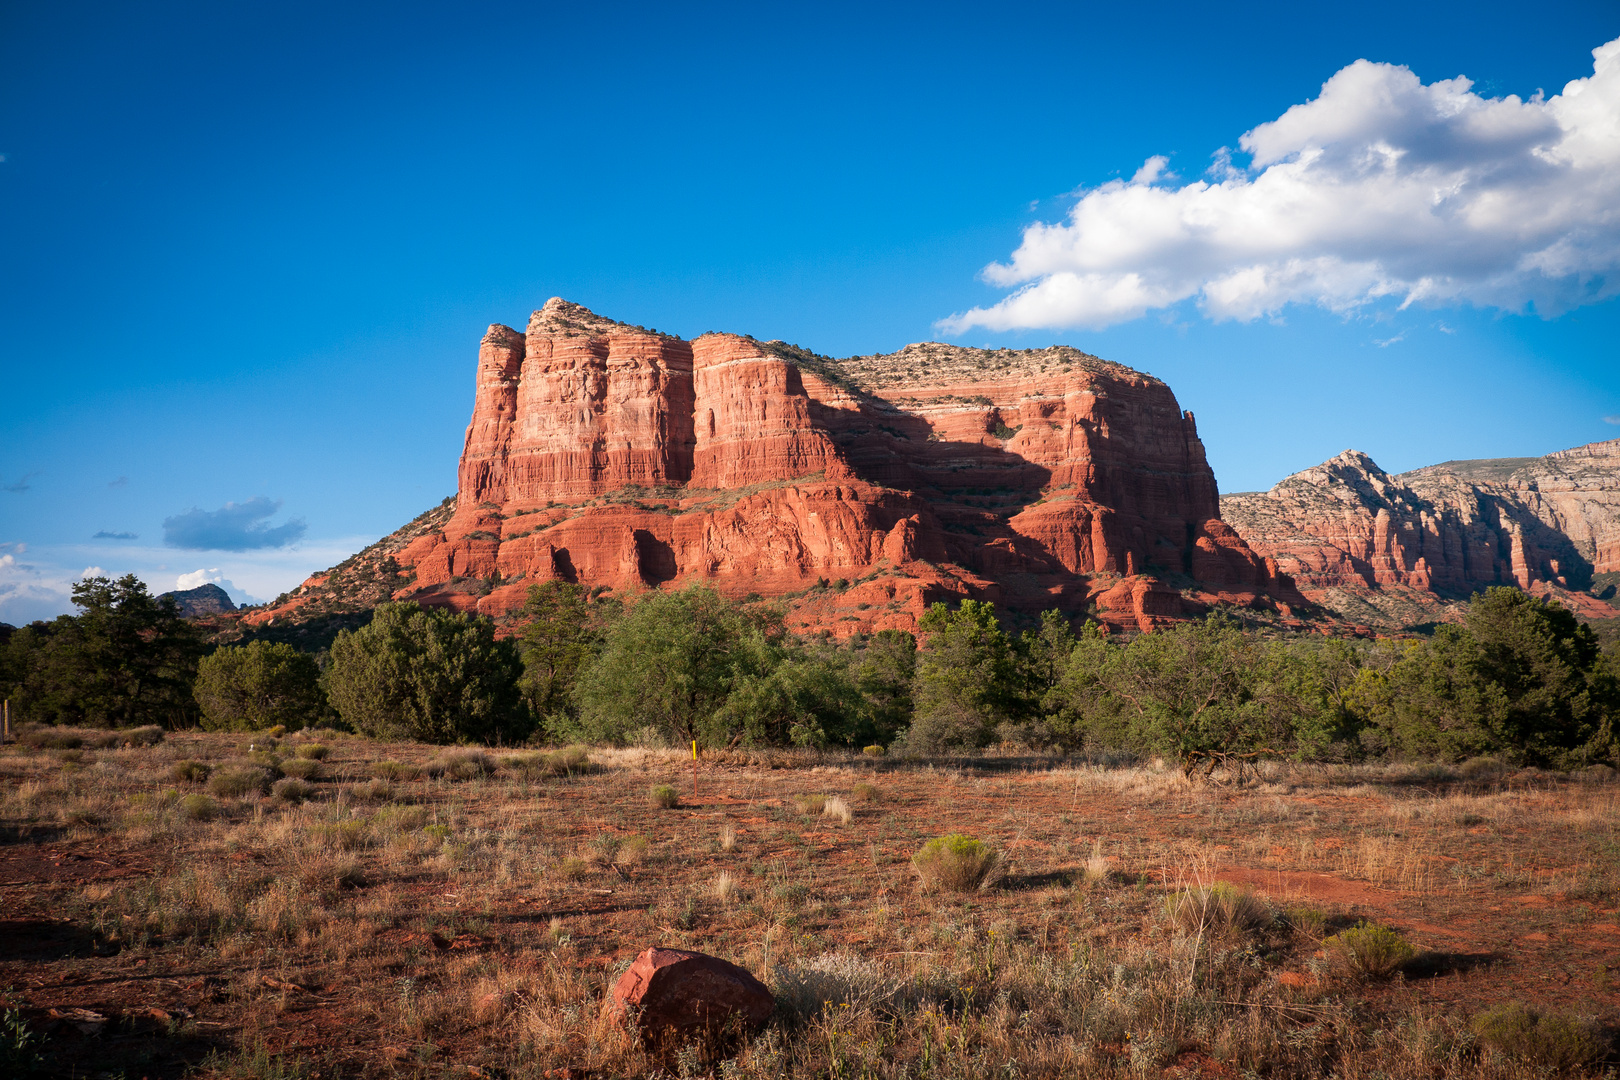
x: 247, y: 250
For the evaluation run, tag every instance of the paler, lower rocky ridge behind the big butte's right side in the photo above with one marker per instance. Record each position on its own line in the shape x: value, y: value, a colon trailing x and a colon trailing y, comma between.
x: 1405, y: 550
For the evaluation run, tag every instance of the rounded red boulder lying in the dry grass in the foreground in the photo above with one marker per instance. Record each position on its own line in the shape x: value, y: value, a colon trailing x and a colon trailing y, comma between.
x: 673, y: 997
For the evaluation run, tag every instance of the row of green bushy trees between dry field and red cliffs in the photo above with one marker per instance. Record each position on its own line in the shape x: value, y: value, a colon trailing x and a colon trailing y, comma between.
x: 1520, y: 678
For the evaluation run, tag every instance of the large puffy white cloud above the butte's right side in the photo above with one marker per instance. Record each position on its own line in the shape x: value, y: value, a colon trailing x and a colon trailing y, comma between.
x: 1383, y: 187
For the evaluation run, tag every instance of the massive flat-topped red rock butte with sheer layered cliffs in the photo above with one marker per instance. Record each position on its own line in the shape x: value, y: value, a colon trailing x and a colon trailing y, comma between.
x: 858, y: 490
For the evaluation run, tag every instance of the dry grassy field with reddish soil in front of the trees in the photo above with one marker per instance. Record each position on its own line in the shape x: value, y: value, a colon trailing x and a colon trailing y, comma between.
x: 406, y: 911
